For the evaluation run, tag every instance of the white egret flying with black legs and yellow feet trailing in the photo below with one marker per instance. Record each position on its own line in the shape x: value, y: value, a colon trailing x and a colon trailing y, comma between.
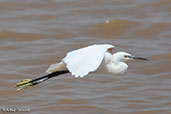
x: 96, y: 58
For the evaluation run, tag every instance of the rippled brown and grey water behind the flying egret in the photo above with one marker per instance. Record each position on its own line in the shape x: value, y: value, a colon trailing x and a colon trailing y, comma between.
x: 37, y: 33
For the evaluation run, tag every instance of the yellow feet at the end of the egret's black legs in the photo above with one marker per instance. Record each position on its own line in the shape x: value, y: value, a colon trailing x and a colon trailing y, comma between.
x: 23, y: 84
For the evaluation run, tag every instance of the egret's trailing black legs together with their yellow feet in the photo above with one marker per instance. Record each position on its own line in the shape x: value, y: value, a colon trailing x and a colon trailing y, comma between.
x: 26, y: 83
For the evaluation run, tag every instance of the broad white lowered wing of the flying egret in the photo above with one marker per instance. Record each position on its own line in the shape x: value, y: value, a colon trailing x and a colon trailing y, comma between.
x: 82, y: 61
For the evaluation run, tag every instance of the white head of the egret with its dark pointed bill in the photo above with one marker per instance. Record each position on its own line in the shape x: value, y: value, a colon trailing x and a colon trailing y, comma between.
x: 123, y: 56
